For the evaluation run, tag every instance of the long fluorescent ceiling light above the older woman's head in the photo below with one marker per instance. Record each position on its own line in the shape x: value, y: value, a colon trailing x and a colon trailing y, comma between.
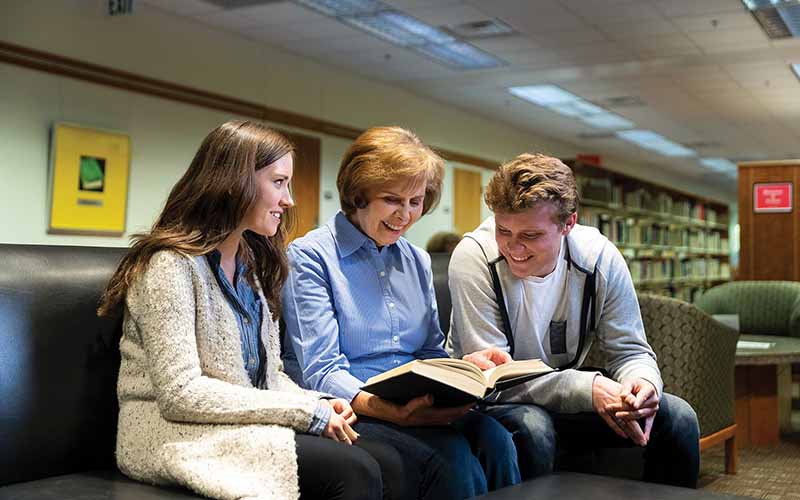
x: 384, y: 22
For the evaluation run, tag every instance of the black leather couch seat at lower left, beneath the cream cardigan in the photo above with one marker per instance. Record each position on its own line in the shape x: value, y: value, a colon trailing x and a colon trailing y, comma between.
x: 94, y: 485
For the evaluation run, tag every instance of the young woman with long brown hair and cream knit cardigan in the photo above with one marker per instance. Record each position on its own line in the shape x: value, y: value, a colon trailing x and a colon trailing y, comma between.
x: 204, y: 402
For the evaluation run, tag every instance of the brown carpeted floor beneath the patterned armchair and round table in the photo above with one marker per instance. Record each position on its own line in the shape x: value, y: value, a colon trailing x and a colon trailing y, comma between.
x: 771, y: 473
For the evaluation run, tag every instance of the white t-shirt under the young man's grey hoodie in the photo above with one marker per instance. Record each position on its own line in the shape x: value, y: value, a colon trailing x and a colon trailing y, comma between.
x: 539, y: 306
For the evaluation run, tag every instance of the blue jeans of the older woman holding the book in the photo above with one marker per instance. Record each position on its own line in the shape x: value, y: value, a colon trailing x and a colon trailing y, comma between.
x: 473, y: 455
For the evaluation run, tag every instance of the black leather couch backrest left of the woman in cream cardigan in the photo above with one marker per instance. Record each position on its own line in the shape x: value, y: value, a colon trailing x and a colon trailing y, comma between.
x: 58, y: 361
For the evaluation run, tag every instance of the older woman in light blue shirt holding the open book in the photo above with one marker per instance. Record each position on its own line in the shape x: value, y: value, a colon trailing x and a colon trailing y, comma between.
x: 359, y: 301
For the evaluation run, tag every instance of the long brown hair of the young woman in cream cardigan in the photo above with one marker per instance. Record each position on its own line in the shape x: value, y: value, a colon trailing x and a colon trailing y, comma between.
x: 207, y: 204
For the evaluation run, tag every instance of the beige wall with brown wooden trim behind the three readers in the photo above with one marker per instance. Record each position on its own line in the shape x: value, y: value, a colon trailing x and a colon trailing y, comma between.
x: 165, y: 134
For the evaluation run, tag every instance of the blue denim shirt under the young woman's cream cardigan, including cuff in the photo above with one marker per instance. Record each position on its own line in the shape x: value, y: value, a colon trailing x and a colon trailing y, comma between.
x: 246, y: 306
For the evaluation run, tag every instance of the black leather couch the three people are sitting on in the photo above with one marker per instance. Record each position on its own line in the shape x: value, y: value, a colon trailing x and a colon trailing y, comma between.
x: 58, y: 373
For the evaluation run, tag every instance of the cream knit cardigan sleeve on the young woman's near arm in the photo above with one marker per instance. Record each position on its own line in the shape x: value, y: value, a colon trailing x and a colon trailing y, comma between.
x: 161, y: 303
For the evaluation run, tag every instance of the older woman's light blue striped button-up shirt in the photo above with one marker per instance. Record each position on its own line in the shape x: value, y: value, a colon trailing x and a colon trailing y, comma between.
x: 353, y: 311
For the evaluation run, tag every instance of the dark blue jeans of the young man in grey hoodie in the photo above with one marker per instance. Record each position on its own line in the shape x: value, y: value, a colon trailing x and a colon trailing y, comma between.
x: 672, y: 456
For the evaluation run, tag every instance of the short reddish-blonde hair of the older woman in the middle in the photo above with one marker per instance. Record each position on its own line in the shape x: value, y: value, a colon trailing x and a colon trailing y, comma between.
x: 386, y: 155
